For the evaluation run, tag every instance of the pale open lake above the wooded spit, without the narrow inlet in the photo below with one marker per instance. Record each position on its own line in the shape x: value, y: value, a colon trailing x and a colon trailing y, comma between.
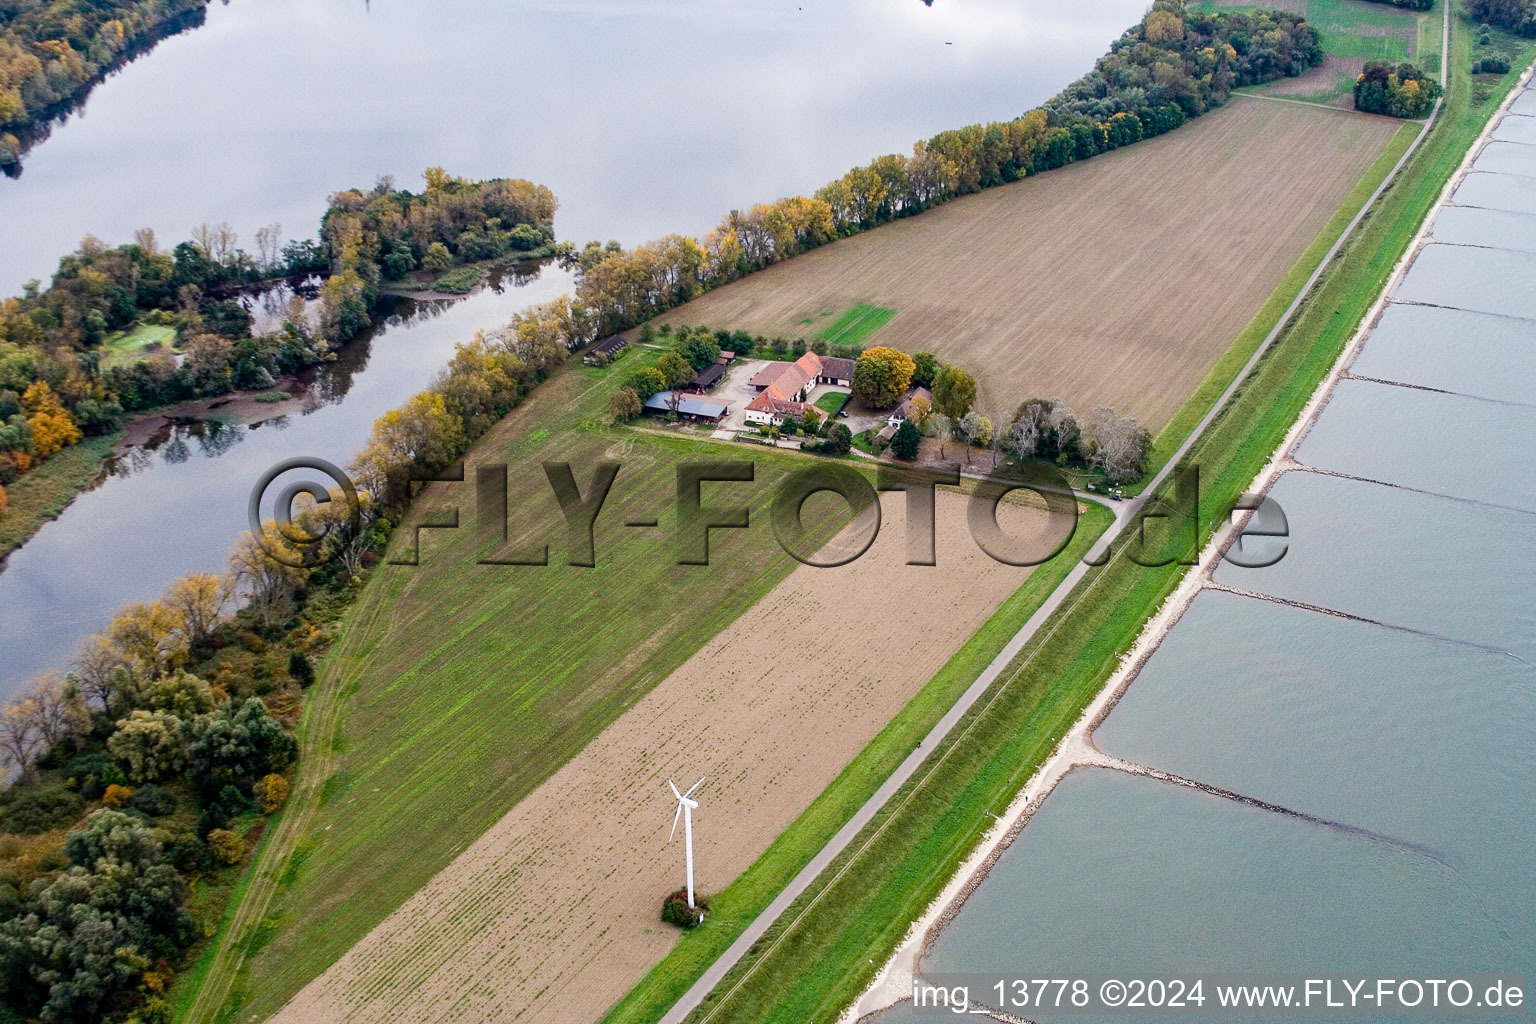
x: 644, y: 116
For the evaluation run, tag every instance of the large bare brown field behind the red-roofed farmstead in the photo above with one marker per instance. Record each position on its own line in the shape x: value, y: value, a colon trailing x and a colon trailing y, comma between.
x: 1116, y: 282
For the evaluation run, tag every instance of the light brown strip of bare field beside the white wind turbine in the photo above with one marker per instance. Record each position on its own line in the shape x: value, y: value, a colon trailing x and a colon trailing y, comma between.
x: 552, y: 916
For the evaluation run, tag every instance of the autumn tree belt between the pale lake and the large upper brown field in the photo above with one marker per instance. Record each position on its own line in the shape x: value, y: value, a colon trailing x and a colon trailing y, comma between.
x: 1173, y: 67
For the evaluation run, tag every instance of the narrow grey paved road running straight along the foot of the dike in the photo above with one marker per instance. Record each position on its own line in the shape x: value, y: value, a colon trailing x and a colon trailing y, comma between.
x: 1125, y: 515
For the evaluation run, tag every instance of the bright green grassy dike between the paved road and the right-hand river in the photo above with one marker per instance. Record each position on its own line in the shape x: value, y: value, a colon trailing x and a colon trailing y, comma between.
x: 824, y: 953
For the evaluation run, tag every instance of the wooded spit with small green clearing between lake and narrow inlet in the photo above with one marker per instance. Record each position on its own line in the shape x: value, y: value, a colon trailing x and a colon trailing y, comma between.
x: 71, y: 357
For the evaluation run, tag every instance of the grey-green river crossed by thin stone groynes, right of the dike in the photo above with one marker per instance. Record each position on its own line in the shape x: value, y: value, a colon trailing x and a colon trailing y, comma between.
x: 1380, y: 681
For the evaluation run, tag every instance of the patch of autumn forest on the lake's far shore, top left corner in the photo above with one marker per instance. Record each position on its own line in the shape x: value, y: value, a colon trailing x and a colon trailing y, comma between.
x: 53, y: 51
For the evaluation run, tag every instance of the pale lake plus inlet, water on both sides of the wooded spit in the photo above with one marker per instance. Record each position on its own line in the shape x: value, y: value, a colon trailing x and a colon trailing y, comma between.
x: 644, y: 119
